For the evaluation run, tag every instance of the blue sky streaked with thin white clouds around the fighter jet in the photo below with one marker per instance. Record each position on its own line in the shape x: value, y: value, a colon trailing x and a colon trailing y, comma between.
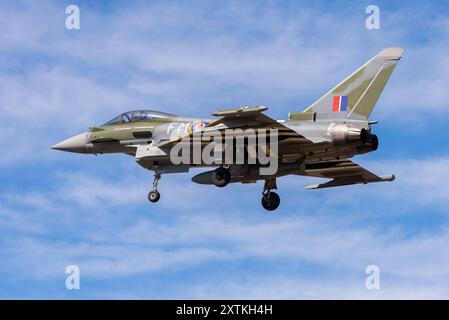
x: 191, y: 58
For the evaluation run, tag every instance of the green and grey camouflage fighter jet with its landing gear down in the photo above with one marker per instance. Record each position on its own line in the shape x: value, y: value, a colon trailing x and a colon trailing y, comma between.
x: 316, y: 142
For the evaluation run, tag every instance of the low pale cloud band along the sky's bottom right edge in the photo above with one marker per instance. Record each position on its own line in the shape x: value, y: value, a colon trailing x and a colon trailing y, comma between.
x: 301, y: 287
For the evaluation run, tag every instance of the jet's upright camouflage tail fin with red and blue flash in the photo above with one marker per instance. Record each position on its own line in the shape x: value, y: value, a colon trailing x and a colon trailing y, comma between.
x: 356, y: 96
